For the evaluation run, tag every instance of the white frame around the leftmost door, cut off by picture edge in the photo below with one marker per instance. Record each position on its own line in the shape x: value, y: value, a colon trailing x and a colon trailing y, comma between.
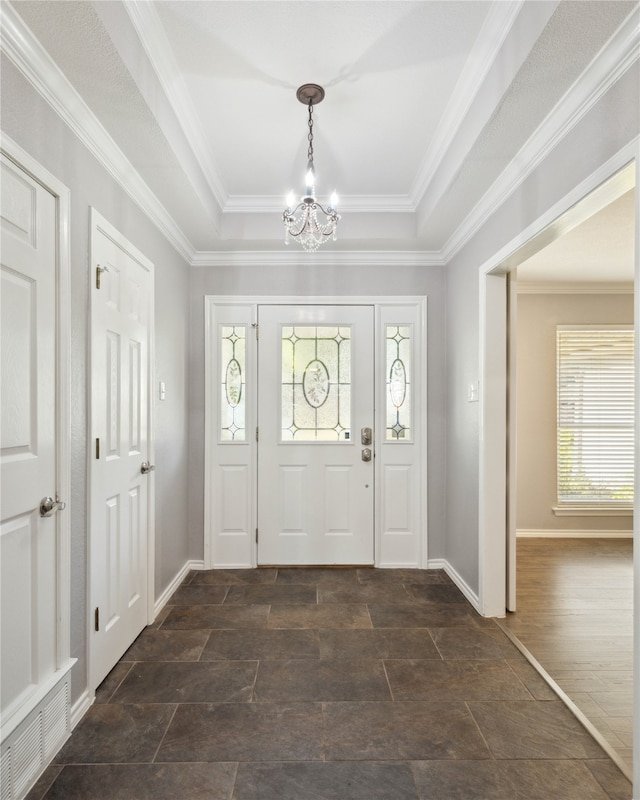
x: 62, y: 196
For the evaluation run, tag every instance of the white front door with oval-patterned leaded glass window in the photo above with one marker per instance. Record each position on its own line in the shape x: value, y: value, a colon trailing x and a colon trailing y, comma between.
x: 315, y: 405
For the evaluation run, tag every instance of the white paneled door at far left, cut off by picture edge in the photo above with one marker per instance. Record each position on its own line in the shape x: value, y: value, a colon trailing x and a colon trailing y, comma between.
x: 29, y: 541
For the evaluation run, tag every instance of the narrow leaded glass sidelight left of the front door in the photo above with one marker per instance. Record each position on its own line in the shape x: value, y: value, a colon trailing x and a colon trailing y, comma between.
x: 232, y: 383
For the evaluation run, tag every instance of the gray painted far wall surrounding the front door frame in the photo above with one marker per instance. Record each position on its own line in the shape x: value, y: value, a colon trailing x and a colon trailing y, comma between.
x: 326, y: 280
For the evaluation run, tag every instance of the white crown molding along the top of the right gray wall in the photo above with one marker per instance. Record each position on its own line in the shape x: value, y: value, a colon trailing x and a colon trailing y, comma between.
x: 615, y: 58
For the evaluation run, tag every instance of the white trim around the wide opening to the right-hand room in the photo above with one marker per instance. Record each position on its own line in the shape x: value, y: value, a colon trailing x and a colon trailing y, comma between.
x: 493, y: 437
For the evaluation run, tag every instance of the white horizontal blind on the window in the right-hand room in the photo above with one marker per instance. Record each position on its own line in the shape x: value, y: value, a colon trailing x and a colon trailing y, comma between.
x: 595, y: 376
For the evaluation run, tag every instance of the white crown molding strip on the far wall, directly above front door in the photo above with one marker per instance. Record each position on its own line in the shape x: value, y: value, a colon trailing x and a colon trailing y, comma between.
x: 249, y: 258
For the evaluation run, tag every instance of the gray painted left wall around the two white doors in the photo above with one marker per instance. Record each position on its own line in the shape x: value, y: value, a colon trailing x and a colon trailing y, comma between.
x: 32, y: 124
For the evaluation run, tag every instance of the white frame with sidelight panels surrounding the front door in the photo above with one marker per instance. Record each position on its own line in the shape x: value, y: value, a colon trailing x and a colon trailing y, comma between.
x: 411, y: 550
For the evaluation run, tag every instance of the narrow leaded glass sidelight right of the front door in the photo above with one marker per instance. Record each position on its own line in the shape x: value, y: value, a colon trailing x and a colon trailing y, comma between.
x: 398, y: 368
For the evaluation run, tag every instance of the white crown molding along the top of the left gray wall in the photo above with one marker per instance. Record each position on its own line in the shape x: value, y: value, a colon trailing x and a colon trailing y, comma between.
x: 30, y: 58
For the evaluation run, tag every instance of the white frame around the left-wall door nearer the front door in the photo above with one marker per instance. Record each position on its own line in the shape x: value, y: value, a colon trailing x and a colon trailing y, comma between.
x: 98, y: 222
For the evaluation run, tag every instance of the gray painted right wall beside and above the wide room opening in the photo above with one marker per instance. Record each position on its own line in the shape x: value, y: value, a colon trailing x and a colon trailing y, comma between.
x: 610, y: 125
